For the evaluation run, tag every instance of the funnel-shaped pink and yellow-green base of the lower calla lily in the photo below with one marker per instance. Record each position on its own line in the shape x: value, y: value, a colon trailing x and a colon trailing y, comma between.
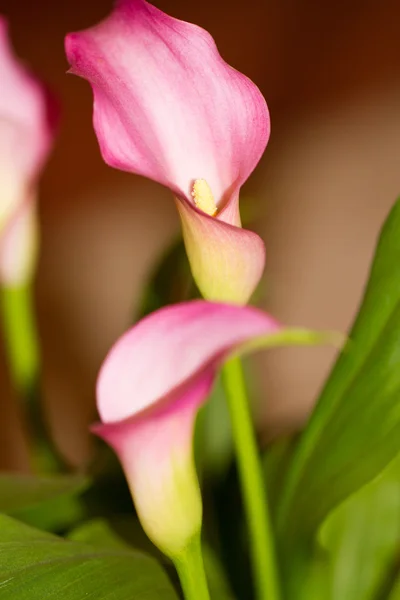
x: 155, y: 451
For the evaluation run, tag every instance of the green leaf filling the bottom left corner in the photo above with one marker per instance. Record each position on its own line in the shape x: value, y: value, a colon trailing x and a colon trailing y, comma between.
x: 34, y: 565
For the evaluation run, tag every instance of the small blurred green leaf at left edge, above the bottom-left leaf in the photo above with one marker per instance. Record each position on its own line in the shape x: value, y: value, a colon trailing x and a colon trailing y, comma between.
x: 47, y: 502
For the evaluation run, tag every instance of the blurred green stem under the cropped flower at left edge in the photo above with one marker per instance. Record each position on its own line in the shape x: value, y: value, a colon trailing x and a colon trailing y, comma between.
x: 23, y: 355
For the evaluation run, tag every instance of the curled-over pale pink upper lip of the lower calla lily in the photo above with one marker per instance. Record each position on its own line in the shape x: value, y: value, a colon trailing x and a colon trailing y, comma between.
x: 169, y: 349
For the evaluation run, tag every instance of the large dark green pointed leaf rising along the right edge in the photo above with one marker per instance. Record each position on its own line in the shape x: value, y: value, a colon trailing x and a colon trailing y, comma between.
x: 354, y: 431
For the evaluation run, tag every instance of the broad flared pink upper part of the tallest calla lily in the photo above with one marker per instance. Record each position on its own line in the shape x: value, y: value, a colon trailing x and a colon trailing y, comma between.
x: 166, y: 105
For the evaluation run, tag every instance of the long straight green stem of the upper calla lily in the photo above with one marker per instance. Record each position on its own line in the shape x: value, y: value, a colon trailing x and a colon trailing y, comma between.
x: 252, y: 482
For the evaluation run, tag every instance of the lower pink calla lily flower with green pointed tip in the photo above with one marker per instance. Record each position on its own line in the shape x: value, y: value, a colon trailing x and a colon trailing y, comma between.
x: 149, y: 390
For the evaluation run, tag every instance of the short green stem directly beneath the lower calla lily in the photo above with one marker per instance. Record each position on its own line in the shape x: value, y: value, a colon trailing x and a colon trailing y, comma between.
x: 190, y: 568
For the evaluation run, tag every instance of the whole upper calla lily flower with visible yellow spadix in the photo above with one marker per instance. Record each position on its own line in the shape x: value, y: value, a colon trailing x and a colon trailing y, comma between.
x: 168, y: 107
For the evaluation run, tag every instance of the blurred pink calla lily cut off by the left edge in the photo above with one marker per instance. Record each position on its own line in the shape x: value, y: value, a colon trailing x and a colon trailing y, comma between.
x: 26, y: 134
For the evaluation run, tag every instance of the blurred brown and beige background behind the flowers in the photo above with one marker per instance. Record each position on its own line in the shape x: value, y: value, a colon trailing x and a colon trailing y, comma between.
x: 330, y: 72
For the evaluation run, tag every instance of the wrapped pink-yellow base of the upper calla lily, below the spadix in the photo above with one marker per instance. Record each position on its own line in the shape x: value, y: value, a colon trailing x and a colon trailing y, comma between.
x: 227, y: 262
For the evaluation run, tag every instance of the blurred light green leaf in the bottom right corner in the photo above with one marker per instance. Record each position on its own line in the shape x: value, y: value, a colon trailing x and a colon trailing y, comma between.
x: 361, y: 537
